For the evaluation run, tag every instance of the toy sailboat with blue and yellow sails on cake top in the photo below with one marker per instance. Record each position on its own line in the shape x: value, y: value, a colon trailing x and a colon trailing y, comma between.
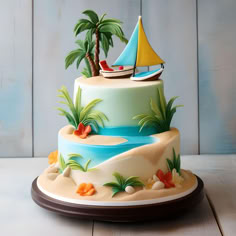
x: 137, y: 53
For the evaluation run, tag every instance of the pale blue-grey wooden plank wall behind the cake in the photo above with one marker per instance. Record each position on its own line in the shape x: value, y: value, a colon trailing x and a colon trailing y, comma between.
x: 197, y: 39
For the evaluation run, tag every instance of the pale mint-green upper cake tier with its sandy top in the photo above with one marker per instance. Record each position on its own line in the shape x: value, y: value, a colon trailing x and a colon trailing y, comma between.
x: 122, y: 98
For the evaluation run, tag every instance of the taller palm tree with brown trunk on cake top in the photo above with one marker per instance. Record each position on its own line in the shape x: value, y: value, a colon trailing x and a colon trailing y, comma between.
x: 103, y: 29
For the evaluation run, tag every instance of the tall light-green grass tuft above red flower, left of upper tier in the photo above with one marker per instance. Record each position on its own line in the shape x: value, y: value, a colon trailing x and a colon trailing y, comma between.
x: 87, y: 115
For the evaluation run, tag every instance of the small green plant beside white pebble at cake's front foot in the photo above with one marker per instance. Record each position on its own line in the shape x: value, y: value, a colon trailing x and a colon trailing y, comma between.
x: 122, y: 183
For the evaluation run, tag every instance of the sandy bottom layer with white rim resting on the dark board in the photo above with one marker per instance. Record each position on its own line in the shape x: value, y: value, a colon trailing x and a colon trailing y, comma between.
x: 64, y: 189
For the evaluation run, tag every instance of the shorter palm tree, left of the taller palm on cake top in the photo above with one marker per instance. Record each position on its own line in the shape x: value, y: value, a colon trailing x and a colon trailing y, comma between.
x: 84, y: 52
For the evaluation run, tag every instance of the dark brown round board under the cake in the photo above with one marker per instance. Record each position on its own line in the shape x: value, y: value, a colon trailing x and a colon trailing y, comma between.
x: 159, y: 211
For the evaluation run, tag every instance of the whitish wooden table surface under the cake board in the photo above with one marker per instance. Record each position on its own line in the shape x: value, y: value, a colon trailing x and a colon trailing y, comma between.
x: 216, y: 215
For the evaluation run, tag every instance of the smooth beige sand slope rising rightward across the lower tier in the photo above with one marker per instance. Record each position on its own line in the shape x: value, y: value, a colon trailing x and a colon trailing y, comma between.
x: 142, y: 161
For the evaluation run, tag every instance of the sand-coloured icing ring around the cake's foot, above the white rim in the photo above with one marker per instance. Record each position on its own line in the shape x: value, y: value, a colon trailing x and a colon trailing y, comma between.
x: 67, y: 188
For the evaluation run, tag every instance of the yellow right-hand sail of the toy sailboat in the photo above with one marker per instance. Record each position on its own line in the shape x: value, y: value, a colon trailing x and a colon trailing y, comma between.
x: 145, y: 54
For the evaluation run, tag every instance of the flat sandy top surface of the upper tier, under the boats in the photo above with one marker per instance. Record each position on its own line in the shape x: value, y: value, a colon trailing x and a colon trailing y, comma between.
x: 100, y: 81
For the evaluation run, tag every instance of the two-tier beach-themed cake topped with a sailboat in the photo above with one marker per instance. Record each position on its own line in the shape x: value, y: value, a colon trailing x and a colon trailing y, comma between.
x: 118, y: 149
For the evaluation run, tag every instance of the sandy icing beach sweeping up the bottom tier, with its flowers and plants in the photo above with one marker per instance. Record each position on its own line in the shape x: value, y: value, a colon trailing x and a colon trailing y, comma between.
x: 150, y: 183
